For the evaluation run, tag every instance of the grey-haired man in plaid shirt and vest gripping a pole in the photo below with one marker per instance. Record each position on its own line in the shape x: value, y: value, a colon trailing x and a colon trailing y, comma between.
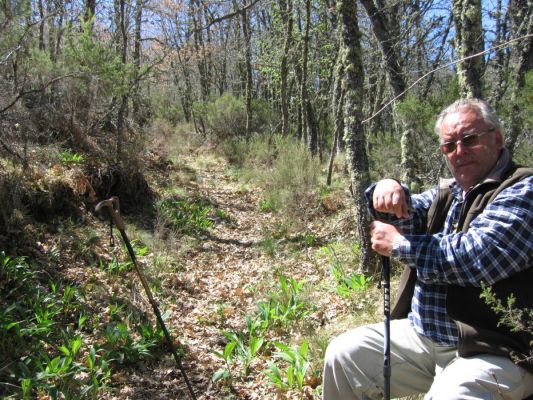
x: 475, y: 229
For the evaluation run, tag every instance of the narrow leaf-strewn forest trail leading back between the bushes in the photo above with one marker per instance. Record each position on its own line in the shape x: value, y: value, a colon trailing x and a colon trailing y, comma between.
x: 217, y: 283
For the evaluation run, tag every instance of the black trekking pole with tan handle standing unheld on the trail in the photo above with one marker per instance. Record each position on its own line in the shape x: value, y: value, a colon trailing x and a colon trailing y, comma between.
x: 112, y: 207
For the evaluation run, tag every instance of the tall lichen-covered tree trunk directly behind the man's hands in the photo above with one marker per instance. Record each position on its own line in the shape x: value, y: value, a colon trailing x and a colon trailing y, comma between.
x: 352, y: 84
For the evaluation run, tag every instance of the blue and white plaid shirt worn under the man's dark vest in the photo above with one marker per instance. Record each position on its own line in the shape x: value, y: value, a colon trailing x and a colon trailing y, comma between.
x: 497, y: 245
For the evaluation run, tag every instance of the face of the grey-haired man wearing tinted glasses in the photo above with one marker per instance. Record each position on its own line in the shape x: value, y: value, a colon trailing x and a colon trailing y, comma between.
x: 469, y: 165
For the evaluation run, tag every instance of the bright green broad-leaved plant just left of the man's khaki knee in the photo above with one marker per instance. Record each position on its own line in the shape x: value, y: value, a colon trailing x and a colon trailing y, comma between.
x: 290, y: 370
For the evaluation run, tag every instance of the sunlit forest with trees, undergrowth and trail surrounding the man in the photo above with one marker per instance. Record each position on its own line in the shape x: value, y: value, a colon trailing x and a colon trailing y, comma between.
x: 238, y: 138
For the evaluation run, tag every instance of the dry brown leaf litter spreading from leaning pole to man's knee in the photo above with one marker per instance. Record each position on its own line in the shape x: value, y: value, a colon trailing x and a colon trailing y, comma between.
x: 218, y: 278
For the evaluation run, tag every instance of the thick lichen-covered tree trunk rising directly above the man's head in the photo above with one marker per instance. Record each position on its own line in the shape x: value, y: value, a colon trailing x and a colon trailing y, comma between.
x: 468, y: 41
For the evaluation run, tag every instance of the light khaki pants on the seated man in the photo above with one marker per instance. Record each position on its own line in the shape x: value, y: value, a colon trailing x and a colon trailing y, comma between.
x: 353, y: 368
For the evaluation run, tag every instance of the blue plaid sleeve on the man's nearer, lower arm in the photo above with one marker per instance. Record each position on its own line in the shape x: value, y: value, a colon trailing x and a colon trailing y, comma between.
x: 497, y: 244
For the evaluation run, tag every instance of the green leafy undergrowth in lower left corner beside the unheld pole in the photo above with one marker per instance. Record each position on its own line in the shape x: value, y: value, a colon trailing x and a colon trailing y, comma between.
x: 55, y: 342
